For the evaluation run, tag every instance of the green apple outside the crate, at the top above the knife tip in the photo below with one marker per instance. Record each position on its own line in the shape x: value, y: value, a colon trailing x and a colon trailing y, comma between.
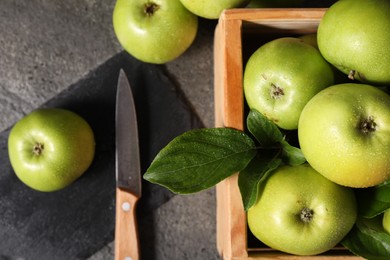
x: 155, y: 31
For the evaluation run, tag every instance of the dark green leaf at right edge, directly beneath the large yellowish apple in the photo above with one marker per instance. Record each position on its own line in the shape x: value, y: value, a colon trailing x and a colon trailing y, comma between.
x: 373, y: 201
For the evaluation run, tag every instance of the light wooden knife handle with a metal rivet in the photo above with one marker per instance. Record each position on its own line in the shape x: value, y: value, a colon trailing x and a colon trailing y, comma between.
x: 126, y: 231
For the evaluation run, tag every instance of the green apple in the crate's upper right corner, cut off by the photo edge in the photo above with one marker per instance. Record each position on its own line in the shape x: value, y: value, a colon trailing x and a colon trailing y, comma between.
x: 354, y: 35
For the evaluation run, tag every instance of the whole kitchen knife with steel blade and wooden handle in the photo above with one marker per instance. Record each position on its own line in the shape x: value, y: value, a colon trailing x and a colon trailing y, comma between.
x: 128, y: 172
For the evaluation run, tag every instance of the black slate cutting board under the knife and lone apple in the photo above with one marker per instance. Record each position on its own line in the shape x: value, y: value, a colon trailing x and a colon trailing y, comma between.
x: 77, y: 221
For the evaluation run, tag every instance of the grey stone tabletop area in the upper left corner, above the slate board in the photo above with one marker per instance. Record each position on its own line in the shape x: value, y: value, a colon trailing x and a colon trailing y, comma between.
x: 45, y: 46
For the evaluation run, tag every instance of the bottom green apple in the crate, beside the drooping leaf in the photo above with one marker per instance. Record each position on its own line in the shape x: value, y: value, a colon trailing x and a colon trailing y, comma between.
x: 300, y: 212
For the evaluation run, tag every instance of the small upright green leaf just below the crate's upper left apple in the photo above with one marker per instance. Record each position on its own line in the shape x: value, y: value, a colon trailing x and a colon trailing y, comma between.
x: 264, y: 130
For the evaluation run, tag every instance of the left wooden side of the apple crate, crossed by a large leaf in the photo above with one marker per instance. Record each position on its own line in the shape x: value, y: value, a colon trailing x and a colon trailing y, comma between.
x: 226, y: 201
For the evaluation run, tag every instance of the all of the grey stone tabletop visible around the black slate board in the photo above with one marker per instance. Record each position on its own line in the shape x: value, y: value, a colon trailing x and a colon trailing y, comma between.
x: 48, y: 45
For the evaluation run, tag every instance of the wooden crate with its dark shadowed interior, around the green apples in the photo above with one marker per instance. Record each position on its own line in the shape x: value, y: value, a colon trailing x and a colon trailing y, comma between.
x: 238, y: 34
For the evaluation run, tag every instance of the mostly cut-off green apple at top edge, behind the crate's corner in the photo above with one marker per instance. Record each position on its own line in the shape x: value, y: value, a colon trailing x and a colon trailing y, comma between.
x: 212, y: 9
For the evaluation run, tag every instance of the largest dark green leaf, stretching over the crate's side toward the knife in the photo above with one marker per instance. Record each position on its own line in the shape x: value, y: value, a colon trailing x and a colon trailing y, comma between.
x: 199, y: 159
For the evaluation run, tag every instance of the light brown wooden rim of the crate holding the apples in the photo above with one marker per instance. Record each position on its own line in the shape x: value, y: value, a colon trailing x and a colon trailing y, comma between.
x: 229, y: 112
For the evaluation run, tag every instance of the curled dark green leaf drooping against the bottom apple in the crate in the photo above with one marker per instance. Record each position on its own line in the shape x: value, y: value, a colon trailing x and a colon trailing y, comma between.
x: 250, y: 178
